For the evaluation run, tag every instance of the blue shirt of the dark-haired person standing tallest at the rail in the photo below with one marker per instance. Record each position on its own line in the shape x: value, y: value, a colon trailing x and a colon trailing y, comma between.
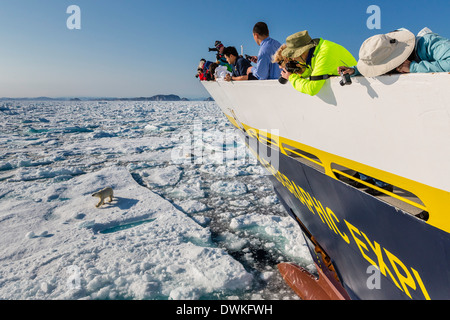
x: 265, y: 69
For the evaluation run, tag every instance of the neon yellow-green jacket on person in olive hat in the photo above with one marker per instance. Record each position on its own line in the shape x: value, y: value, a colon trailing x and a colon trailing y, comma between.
x: 327, y: 57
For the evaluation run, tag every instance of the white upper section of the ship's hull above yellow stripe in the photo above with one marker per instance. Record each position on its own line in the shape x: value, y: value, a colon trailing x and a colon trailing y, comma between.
x: 399, y: 124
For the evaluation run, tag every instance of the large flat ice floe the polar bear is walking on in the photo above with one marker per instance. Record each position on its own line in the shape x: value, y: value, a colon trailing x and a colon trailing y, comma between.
x: 36, y: 263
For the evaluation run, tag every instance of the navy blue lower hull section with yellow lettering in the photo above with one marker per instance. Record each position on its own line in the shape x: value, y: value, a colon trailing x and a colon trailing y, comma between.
x: 377, y: 251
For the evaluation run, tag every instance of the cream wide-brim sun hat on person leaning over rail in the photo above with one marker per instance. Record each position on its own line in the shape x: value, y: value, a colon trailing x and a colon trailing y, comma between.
x: 384, y: 52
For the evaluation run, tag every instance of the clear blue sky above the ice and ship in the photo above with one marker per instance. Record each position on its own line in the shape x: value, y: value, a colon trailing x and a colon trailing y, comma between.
x: 144, y: 47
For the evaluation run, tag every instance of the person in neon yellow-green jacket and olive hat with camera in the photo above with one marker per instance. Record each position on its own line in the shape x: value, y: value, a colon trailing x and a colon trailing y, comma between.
x: 320, y: 59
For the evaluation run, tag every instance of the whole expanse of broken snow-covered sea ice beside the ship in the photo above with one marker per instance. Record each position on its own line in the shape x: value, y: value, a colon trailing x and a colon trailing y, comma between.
x: 184, y: 223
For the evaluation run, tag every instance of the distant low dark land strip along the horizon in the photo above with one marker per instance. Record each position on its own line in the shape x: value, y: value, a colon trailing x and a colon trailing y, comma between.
x: 159, y: 97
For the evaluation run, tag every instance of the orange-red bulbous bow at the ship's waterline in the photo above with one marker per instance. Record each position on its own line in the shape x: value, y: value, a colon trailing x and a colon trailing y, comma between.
x: 307, y: 286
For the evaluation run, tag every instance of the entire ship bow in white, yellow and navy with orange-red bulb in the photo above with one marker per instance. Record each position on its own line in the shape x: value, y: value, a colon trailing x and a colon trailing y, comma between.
x: 392, y: 128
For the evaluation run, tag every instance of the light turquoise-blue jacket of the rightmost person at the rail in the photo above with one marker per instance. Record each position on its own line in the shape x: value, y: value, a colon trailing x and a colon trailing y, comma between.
x: 434, y: 54
